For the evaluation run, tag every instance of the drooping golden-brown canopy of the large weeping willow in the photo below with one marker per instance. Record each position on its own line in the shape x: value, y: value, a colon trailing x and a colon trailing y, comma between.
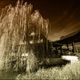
x: 15, y: 24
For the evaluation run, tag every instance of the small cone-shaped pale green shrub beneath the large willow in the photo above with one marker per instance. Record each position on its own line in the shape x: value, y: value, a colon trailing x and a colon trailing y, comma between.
x: 32, y: 62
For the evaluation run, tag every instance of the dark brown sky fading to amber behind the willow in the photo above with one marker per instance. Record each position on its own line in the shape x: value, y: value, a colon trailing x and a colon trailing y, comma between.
x: 64, y: 15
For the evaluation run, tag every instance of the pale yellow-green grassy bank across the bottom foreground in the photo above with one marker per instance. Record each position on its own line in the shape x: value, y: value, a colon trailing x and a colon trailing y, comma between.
x: 68, y: 72
